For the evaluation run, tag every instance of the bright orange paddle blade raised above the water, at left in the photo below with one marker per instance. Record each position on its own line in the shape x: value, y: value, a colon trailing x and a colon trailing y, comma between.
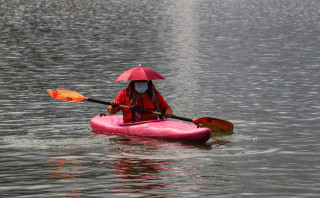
x: 66, y: 95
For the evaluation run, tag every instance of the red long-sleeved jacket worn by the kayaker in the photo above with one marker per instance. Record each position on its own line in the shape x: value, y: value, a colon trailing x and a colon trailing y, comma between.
x: 143, y: 103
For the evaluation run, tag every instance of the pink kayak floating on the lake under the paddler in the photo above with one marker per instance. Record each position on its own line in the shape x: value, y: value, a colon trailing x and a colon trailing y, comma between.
x: 155, y: 129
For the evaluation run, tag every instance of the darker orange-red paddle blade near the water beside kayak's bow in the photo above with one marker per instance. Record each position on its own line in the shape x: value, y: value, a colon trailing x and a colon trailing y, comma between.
x: 215, y: 124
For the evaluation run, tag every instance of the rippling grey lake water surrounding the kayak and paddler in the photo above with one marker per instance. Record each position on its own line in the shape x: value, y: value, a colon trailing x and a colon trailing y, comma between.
x: 254, y: 63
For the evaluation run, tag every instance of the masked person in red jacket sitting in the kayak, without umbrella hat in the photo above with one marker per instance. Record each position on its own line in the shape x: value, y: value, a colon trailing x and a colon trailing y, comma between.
x: 141, y: 94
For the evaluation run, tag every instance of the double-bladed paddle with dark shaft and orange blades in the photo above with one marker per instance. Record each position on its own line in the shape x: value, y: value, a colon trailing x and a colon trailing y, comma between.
x: 214, y: 124
